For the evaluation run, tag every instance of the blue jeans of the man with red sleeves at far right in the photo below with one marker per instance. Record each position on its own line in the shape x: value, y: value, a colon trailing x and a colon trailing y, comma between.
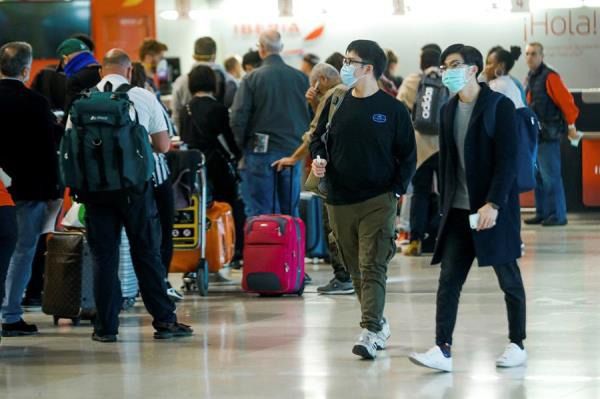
x: 549, y: 191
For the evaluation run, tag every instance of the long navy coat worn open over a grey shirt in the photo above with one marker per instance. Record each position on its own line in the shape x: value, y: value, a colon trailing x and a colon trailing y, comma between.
x: 491, y: 169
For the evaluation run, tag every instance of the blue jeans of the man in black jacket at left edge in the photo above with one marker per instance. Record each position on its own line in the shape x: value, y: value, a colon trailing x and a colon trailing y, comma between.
x: 30, y: 221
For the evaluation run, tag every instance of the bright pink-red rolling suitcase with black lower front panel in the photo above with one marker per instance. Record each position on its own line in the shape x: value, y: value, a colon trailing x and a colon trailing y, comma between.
x: 274, y: 255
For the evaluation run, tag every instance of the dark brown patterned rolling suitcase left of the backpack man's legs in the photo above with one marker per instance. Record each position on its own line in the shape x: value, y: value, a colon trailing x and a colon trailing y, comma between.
x: 69, y: 278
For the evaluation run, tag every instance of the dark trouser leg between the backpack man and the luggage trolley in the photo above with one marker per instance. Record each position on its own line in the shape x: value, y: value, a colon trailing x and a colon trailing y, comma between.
x: 165, y: 203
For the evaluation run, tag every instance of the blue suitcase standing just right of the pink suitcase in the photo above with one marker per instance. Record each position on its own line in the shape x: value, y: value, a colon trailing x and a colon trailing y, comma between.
x: 311, y: 212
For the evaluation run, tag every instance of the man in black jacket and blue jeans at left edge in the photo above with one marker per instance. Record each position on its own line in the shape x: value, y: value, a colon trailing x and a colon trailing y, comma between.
x: 28, y: 156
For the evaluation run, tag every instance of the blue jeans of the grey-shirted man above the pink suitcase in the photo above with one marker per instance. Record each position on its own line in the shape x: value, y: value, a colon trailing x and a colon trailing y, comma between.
x: 258, y: 185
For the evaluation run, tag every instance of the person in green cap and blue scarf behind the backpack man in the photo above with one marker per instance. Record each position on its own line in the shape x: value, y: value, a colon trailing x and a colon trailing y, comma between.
x: 80, y: 66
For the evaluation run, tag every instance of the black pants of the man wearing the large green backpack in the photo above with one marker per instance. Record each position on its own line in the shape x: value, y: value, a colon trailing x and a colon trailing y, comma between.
x: 139, y: 215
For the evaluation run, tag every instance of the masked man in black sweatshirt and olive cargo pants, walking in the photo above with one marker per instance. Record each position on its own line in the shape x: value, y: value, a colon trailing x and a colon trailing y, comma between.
x: 368, y: 156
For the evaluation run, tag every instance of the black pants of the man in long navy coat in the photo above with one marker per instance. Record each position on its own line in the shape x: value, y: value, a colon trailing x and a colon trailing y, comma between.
x: 457, y: 257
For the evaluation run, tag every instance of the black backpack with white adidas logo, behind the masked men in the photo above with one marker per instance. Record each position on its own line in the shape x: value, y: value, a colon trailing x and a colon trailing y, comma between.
x: 431, y: 96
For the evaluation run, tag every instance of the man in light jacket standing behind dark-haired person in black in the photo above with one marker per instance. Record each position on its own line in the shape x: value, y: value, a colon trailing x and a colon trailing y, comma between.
x: 205, y: 53
